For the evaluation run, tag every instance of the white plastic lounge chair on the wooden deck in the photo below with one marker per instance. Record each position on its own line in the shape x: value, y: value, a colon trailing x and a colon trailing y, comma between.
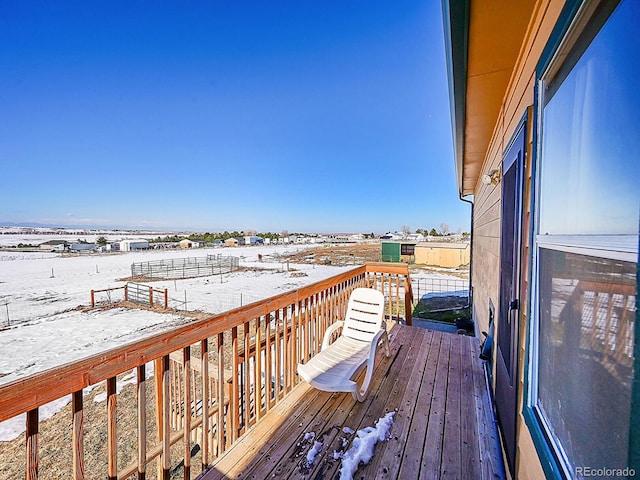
x: 337, y: 363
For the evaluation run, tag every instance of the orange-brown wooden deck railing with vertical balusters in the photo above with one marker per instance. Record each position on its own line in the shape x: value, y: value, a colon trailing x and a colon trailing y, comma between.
x: 211, y: 380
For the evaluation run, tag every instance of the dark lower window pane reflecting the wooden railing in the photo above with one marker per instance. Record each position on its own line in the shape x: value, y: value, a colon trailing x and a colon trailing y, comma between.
x: 587, y: 317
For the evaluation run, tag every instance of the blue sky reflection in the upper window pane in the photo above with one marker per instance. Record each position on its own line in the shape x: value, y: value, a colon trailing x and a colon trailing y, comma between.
x: 590, y: 141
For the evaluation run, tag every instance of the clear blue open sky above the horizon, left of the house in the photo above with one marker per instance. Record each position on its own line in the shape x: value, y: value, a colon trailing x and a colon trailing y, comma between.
x: 305, y: 116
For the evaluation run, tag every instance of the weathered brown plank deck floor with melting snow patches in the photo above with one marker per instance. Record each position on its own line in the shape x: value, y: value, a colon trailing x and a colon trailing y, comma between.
x: 443, y: 425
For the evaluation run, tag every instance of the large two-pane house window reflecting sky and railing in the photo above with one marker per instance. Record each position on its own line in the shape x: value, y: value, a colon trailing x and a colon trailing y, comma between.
x: 586, y: 247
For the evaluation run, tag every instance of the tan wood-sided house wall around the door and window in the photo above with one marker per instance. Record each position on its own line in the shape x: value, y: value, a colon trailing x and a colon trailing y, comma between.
x: 517, y: 102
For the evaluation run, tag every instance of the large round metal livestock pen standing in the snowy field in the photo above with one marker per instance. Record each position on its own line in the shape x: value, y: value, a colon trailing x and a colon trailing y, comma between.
x: 187, y: 267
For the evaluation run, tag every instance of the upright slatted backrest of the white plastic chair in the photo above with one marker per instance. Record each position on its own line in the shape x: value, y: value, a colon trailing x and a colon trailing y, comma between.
x: 364, y: 314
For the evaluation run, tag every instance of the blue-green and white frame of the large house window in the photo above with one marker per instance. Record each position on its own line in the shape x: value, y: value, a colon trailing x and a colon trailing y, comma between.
x: 569, y: 26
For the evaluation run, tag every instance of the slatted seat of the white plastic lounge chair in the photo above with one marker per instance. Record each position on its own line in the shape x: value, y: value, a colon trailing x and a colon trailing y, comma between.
x: 333, y: 368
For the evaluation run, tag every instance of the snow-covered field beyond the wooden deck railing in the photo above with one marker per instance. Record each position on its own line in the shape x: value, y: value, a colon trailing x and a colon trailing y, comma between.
x: 42, y: 326
